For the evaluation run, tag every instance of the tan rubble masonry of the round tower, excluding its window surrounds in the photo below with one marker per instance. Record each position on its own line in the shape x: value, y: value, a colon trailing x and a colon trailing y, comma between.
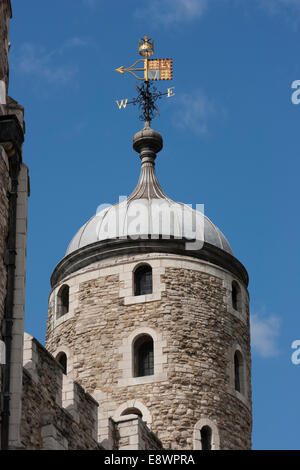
x: 199, y: 331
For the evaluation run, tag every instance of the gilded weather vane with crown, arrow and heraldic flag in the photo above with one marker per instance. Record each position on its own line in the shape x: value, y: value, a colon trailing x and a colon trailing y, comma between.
x: 153, y: 70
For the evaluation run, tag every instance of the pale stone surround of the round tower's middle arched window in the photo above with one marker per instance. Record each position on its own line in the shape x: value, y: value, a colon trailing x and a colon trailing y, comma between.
x: 127, y: 362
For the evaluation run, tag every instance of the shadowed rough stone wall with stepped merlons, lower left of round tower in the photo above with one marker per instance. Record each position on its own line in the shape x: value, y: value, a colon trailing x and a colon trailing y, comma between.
x: 45, y: 424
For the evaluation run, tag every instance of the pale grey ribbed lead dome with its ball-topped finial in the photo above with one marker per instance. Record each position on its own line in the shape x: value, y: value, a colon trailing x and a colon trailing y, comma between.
x: 148, y: 211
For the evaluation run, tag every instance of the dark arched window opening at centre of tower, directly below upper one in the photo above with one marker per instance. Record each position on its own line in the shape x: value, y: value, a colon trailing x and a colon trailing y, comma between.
x: 143, y: 356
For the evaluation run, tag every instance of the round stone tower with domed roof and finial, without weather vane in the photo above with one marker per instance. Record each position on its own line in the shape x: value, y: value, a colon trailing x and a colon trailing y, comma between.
x: 149, y: 312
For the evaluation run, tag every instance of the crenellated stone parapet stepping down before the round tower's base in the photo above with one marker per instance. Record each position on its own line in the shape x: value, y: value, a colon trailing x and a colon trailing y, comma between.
x: 58, y: 414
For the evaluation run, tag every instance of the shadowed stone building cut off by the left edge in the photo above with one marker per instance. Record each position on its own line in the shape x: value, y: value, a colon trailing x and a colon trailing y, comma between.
x: 14, y: 192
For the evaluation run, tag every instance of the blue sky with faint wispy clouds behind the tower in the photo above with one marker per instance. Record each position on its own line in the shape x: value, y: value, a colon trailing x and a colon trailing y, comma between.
x: 230, y: 143
